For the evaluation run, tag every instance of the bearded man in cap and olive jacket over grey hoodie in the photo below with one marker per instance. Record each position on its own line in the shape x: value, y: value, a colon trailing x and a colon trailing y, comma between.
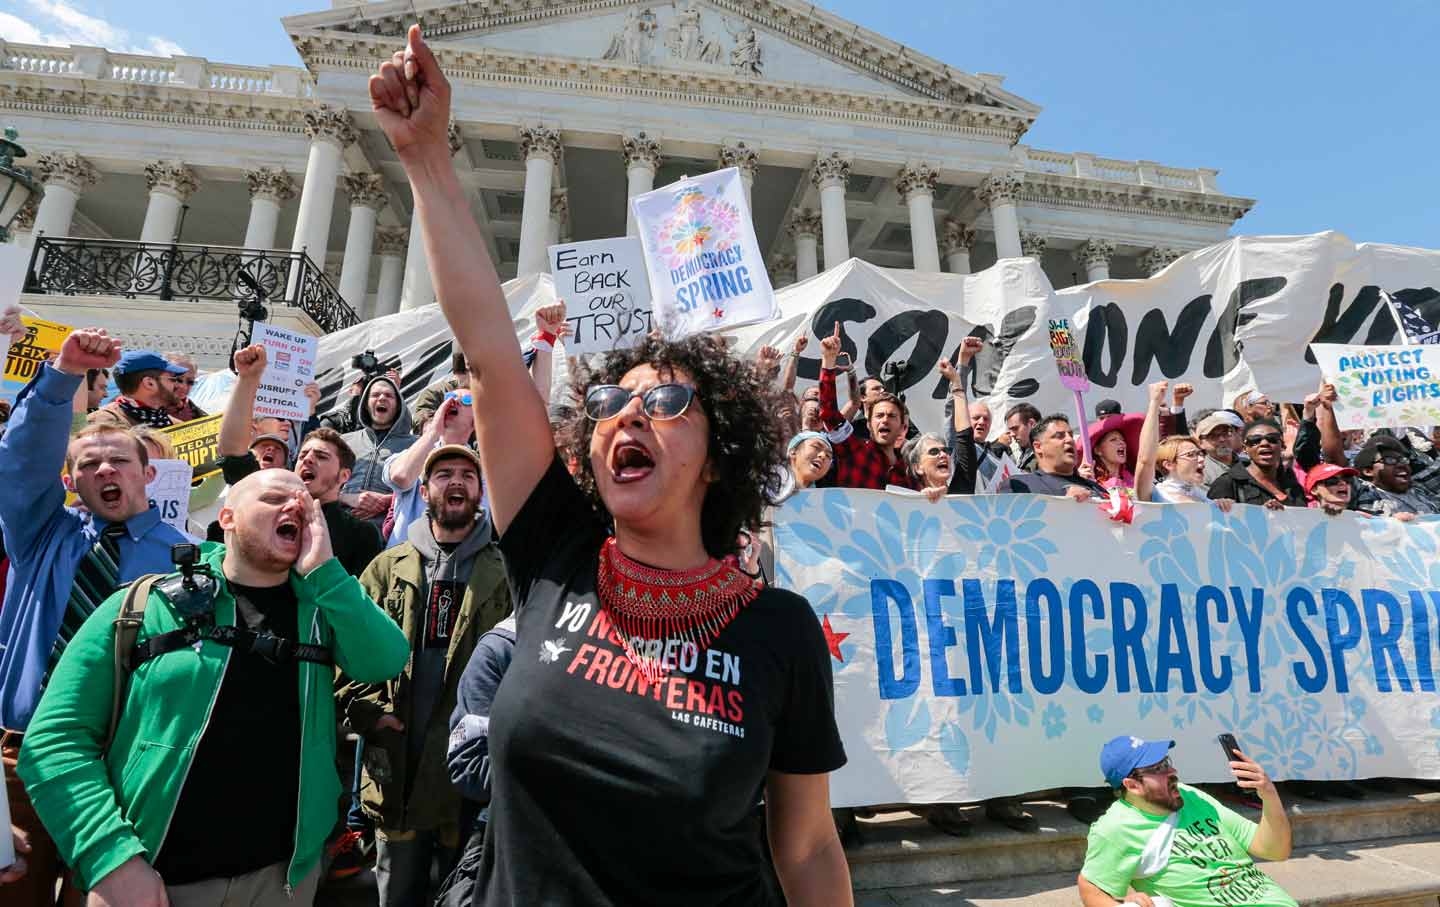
x: 446, y: 587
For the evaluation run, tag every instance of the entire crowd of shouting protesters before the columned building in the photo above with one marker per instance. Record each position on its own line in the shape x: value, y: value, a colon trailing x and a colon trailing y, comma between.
x: 178, y: 736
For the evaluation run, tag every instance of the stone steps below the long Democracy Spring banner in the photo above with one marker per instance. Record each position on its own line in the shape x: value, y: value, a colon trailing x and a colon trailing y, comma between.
x: 1383, y: 852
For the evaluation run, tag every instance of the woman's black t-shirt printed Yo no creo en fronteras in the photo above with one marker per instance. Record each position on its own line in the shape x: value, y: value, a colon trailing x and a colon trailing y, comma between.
x: 611, y: 791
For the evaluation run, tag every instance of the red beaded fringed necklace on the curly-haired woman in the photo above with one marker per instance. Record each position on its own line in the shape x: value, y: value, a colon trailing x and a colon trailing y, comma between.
x: 652, y: 608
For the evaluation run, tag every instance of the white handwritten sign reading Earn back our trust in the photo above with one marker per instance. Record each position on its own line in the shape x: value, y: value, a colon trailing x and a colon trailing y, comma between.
x: 606, y: 292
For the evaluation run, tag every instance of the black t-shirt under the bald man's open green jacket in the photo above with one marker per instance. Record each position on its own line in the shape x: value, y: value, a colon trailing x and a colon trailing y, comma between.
x: 237, y: 810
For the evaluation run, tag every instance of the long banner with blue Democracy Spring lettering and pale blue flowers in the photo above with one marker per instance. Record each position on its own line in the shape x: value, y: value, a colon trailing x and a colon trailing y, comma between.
x: 989, y: 646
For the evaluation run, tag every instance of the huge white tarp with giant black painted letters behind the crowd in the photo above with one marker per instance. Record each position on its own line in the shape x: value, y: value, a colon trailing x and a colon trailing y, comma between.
x: 1228, y: 319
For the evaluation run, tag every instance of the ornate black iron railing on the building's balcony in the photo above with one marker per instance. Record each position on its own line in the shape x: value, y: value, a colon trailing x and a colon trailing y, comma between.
x: 182, y: 271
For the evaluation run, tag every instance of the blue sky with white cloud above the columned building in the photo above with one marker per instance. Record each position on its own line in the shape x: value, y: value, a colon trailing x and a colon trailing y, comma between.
x: 1324, y: 112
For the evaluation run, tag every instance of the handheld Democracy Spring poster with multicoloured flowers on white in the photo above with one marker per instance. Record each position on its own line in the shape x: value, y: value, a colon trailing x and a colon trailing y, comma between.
x: 706, y: 270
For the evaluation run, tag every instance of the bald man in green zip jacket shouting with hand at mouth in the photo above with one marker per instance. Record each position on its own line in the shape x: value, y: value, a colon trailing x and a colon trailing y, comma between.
x: 225, y: 744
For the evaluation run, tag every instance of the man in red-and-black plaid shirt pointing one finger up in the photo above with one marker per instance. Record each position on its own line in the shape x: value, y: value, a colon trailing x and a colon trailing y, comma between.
x: 865, y: 463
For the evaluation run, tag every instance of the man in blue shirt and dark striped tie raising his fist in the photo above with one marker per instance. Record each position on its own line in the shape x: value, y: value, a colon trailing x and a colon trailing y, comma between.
x: 64, y: 561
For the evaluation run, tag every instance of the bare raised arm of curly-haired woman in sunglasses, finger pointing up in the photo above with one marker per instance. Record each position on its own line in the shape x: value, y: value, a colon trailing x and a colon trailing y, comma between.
x: 411, y: 100
